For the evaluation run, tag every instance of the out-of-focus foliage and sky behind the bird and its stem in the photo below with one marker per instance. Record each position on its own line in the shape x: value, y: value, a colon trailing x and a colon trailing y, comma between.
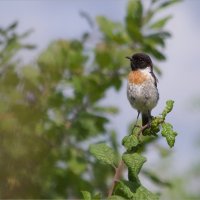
x: 63, y: 87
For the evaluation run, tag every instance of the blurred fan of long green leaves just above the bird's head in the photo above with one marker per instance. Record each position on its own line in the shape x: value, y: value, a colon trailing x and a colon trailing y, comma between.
x: 147, y: 34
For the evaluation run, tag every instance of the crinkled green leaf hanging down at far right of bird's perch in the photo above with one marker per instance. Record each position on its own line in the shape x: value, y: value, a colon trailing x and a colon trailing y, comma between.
x: 168, y: 133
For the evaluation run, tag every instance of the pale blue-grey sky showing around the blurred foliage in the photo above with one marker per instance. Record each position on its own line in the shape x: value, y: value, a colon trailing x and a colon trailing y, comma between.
x: 181, y: 72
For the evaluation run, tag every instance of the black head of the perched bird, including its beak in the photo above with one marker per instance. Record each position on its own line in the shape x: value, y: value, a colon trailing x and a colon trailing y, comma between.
x: 140, y: 61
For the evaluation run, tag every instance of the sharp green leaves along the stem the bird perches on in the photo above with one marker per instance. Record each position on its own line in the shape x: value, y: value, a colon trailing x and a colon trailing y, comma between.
x: 133, y: 189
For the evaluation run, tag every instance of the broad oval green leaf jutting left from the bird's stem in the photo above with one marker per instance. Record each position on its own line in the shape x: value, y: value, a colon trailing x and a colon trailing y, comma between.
x: 104, y: 153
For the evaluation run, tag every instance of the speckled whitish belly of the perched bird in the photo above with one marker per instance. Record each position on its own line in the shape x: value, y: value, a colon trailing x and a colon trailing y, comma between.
x: 143, y: 97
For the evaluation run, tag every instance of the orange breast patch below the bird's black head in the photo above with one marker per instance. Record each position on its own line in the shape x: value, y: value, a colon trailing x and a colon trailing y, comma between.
x: 136, y: 77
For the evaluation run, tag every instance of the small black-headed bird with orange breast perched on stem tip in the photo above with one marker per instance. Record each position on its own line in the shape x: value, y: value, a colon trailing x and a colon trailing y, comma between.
x: 142, y: 91
